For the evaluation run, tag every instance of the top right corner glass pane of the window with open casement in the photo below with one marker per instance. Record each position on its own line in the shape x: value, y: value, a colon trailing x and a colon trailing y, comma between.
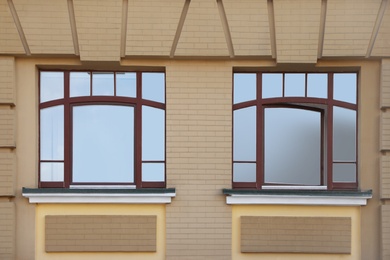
x: 345, y: 87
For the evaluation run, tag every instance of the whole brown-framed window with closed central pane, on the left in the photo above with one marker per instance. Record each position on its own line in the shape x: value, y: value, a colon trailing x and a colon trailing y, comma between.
x: 102, y: 128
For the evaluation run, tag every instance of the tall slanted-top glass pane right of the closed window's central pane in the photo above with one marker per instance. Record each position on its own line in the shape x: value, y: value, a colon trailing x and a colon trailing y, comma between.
x: 153, y: 133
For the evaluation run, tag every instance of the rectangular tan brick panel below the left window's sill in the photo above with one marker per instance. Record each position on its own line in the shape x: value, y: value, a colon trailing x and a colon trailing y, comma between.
x: 100, y: 233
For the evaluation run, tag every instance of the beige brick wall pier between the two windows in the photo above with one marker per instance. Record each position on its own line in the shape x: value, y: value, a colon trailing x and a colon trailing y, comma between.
x: 199, y: 159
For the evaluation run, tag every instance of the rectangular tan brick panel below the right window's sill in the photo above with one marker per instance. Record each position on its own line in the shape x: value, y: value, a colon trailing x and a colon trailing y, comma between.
x: 296, y: 235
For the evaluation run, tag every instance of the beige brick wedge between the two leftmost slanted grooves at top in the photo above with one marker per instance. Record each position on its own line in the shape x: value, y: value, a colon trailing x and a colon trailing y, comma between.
x: 46, y: 26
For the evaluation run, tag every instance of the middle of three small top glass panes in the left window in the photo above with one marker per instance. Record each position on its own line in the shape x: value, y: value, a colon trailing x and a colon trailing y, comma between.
x: 103, y: 84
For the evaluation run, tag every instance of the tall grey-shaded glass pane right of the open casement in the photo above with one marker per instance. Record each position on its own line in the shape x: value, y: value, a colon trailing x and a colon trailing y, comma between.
x: 344, y: 134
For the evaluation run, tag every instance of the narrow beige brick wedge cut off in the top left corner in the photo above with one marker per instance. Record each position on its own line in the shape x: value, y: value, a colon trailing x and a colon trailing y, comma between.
x: 9, y: 37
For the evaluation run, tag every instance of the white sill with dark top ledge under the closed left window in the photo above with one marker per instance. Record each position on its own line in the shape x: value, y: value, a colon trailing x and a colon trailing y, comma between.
x: 116, y: 196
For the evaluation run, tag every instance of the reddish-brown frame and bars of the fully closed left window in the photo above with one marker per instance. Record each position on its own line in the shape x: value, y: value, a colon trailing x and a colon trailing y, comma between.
x: 70, y: 102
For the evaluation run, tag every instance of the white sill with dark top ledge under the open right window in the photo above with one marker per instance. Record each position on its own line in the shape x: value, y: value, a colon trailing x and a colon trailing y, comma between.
x: 297, y: 197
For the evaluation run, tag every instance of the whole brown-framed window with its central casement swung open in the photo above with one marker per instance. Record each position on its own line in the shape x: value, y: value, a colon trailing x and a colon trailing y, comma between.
x: 295, y: 129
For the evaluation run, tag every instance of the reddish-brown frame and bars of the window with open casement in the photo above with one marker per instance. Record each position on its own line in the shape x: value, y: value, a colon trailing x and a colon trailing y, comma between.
x: 308, y: 103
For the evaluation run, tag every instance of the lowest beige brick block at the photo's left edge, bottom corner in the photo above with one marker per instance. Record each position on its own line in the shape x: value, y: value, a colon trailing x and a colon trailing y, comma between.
x: 7, y: 230
